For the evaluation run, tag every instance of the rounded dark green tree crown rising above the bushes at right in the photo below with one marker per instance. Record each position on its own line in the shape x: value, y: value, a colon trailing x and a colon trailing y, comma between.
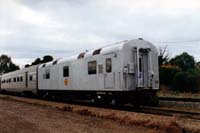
x: 184, y: 61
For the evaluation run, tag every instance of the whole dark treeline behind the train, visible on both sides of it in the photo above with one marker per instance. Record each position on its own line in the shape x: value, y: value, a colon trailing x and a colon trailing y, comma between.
x: 180, y: 73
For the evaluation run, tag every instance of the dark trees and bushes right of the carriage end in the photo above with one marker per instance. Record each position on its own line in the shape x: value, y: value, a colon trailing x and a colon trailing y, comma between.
x: 181, y: 73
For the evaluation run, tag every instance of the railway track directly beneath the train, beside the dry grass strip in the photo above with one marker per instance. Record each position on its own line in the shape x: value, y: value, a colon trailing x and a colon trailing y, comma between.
x: 128, y: 107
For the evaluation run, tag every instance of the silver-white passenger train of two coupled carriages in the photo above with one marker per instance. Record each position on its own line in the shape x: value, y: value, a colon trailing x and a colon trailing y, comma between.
x: 124, y: 72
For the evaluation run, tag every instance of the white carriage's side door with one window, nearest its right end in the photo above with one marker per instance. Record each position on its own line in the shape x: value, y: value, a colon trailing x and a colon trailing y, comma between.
x: 108, y: 74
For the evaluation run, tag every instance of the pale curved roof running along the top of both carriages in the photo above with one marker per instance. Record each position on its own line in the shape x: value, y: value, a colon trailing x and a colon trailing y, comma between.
x: 104, y: 50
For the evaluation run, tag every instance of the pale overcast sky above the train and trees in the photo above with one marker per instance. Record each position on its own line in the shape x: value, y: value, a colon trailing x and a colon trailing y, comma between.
x: 33, y: 28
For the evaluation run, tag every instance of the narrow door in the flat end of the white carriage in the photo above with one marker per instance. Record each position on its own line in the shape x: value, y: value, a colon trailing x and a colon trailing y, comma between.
x: 143, y: 68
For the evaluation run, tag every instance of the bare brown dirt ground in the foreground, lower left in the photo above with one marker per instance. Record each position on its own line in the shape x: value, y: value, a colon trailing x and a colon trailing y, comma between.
x: 25, y: 118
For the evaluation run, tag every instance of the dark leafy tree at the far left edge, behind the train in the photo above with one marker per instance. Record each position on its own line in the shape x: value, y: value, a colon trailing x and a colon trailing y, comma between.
x: 6, y: 64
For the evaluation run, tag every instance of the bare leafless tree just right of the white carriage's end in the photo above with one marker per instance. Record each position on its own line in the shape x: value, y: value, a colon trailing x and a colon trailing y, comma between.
x: 163, y: 56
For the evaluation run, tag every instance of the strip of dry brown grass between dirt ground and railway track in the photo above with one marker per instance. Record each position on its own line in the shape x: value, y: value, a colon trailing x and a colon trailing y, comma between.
x: 159, y: 123
